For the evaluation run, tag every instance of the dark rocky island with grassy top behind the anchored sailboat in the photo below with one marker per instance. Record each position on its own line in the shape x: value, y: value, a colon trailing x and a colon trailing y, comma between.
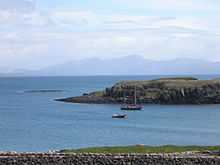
x: 185, y: 90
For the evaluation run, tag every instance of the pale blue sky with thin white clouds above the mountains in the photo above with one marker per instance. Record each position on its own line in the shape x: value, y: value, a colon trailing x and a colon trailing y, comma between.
x: 38, y: 33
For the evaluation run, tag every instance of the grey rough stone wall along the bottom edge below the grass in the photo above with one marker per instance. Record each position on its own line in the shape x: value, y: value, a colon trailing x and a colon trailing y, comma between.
x: 106, y: 159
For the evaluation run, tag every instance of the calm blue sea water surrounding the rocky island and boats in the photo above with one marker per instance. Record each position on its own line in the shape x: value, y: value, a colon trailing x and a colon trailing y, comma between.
x: 32, y: 121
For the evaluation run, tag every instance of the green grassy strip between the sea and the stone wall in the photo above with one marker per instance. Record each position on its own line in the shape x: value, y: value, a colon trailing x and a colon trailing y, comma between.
x: 143, y: 149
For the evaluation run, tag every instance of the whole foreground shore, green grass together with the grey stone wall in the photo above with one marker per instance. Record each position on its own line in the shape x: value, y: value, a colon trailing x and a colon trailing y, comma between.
x: 127, y: 155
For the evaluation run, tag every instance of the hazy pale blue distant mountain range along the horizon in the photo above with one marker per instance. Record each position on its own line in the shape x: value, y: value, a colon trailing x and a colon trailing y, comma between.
x: 129, y: 65
